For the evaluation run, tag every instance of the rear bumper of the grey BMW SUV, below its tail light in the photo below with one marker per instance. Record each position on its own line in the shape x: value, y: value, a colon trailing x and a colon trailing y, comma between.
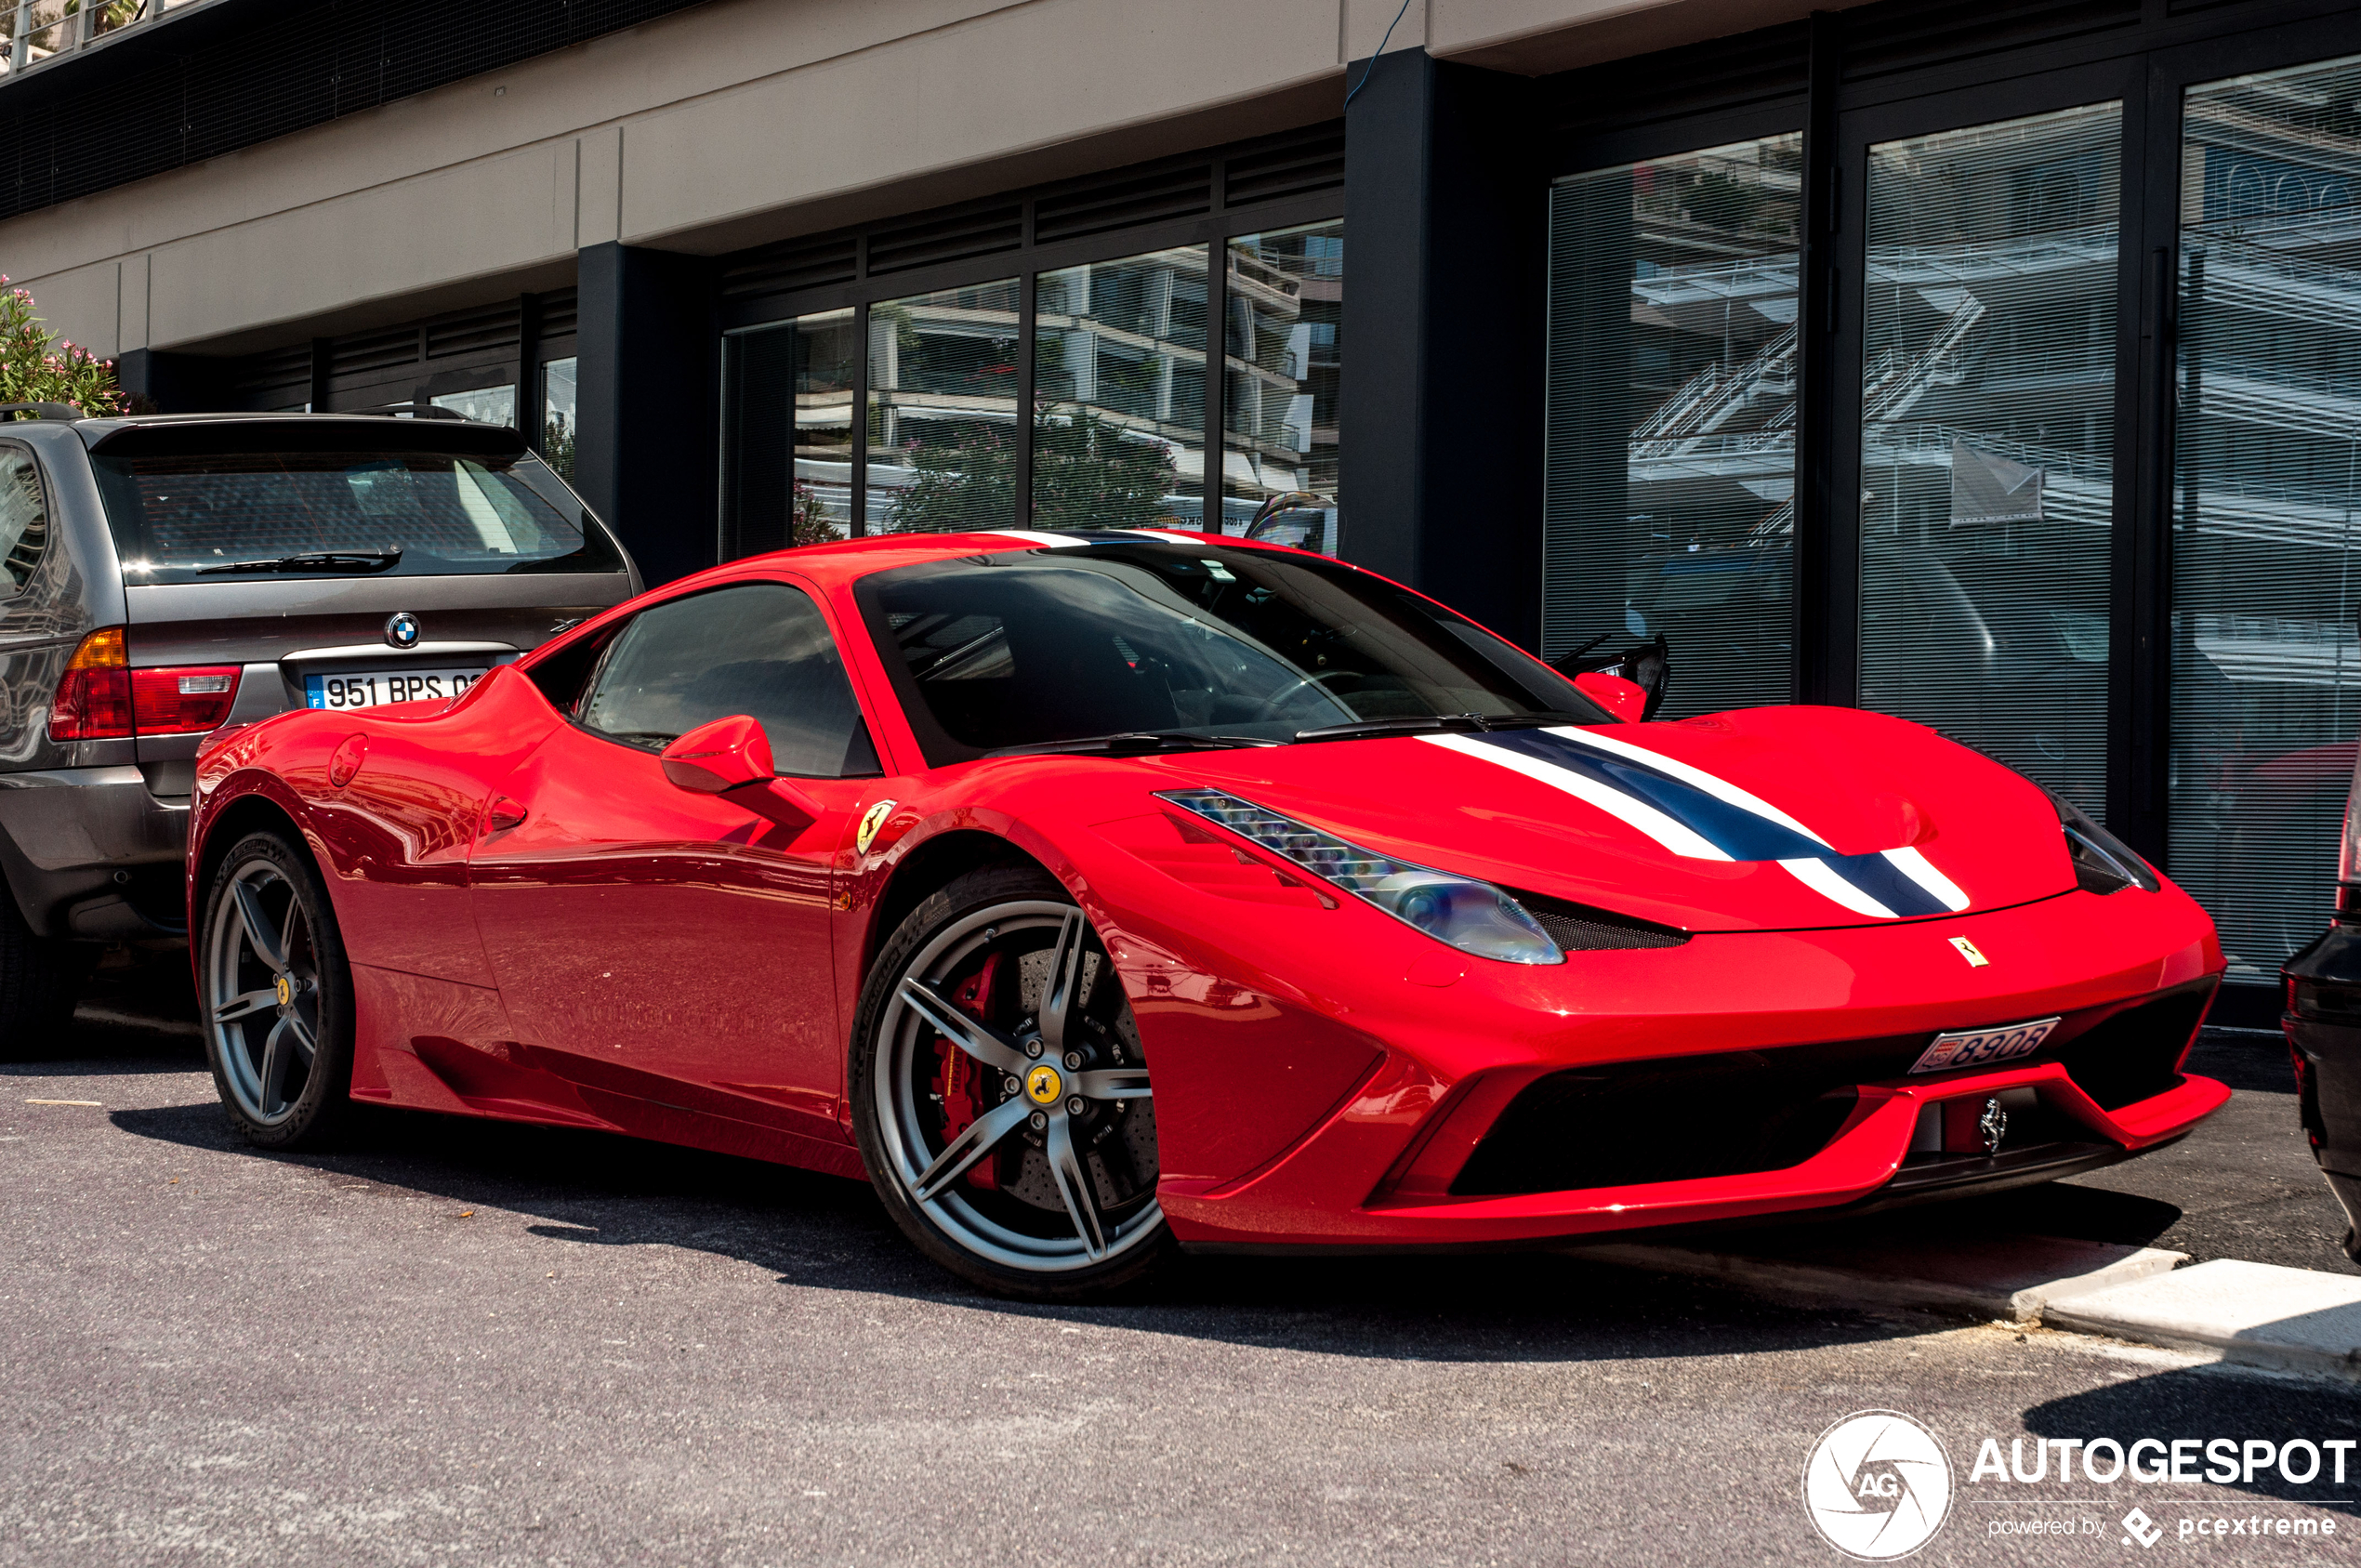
x: 70, y: 832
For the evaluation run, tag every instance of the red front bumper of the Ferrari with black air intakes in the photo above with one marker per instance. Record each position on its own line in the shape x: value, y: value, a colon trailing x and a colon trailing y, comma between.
x: 1833, y: 1019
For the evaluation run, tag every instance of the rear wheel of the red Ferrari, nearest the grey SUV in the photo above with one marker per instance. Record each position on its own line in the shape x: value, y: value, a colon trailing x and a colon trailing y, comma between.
x: 273, y: 979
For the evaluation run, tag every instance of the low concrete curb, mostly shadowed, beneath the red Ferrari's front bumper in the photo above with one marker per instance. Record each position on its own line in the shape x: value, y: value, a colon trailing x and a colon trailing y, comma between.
x: 2015, y: 1279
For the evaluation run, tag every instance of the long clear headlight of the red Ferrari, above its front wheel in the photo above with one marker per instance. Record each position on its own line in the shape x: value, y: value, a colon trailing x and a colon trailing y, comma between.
x: 1456, y: 910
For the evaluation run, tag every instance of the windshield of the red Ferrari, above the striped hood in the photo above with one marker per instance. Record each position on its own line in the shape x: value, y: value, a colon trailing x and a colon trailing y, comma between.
x: 1059, y: 646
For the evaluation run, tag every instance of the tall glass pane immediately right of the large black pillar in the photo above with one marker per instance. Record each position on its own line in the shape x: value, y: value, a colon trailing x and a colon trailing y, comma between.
x: 1670, y: 462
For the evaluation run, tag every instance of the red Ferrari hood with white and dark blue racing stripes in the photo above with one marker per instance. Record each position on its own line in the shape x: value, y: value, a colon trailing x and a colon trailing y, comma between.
x: 1758, y: 821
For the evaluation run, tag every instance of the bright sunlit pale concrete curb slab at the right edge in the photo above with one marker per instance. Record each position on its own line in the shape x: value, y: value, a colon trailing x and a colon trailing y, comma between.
x: 2256, y: 1314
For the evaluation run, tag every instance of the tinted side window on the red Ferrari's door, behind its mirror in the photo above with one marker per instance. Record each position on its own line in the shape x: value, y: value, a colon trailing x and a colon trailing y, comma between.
x: 761, y: 651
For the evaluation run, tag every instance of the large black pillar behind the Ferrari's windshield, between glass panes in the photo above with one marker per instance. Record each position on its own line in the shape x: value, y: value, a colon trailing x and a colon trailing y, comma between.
x: 1446, y: 339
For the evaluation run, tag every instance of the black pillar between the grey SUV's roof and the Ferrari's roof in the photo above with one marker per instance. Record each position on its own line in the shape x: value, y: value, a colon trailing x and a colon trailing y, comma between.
x: 648, y: 365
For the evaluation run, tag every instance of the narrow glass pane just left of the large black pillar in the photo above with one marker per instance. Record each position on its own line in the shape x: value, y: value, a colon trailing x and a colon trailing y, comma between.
x: 1283, y: 362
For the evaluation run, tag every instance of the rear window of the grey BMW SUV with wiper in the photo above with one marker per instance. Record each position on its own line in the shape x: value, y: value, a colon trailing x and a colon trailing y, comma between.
x: 233, y: 504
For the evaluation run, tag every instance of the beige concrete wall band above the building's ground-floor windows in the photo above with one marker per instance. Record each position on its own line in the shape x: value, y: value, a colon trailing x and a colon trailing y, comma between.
x: 709, y: 131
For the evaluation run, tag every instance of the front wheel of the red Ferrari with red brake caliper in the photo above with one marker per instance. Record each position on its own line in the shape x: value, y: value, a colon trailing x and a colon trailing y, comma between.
x: 964, y: 1095
